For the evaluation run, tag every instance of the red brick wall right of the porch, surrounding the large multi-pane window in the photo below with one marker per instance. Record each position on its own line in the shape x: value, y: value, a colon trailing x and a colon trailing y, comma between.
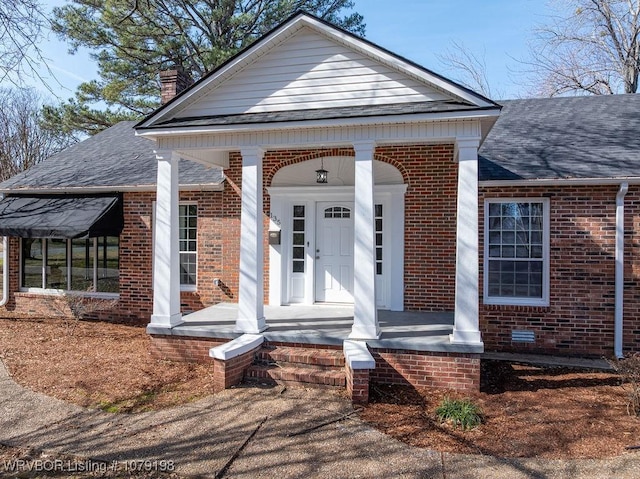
x: 580, y: 317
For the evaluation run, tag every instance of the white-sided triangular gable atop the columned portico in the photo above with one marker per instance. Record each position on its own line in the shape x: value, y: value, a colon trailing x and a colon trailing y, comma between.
x: 308, y: 64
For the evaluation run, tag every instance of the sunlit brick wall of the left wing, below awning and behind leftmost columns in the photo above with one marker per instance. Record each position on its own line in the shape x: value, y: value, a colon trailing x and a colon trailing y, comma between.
x: 135, y: 303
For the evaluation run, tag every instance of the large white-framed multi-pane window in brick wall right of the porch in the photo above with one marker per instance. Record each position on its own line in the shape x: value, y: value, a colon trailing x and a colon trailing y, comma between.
x: 516, y: 265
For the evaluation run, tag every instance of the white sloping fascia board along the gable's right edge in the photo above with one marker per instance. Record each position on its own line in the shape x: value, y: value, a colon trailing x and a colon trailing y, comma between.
x: 399, y: 64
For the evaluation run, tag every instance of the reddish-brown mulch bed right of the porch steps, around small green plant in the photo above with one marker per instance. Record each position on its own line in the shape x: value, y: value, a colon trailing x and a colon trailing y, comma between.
x: 528, y: 412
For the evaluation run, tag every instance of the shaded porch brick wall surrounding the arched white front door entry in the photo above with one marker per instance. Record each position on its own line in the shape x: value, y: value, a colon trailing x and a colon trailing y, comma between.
x: 430, y: 215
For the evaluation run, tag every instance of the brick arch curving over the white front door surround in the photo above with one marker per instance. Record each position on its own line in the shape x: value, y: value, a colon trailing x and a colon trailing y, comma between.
x: 276, y: 160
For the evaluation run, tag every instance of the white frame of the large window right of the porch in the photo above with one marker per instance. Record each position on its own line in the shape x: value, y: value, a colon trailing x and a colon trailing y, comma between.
x: 514, y: 300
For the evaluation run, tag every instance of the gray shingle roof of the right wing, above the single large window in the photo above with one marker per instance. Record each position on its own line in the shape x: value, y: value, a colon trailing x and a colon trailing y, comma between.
x: 561, y: 138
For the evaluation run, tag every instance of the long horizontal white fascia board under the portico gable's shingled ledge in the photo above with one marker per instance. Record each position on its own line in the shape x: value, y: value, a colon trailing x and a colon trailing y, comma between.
x: 335, y: 122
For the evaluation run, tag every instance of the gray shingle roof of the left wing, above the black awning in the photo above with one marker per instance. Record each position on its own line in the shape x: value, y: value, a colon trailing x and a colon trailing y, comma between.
x: 114, y: 158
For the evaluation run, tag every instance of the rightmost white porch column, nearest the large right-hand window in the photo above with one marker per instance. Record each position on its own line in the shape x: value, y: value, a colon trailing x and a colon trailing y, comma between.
x: 466, y: 327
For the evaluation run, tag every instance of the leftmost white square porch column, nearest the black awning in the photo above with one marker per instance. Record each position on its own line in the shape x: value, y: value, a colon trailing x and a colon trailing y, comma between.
x: 166, y: 264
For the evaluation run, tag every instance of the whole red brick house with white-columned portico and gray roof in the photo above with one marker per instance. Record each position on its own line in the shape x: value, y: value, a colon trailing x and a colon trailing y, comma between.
x: 317, y: 191
